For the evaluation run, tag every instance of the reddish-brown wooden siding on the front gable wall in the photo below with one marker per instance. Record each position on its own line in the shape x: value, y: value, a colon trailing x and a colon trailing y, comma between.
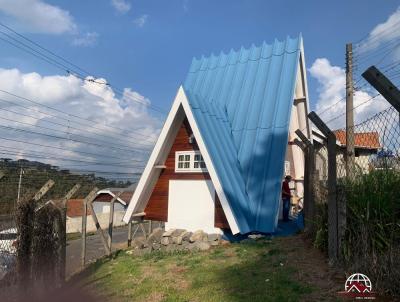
x: 157, y: 206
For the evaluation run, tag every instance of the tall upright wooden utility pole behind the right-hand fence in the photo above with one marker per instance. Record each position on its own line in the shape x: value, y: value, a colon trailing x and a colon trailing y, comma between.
x: 349, y: 112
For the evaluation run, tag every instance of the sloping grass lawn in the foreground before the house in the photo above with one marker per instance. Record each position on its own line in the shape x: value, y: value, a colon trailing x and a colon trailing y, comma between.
x: 259, y: 271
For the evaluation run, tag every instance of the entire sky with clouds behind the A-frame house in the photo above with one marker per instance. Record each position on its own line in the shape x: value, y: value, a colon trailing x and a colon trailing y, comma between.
x: 144, y: 48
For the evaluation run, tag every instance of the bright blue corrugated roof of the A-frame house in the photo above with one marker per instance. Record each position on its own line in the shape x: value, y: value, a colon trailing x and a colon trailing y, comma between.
x: 242, y: 103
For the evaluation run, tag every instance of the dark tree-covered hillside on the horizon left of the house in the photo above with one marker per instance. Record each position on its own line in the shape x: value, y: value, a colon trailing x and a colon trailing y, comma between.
x: 36, y: 174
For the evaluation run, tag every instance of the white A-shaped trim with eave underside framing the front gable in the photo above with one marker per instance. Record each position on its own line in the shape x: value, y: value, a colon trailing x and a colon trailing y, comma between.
x: 160, y: 152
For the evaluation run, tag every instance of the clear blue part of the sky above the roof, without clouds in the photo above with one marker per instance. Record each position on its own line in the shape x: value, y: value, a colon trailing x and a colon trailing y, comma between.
x: 154, y: 58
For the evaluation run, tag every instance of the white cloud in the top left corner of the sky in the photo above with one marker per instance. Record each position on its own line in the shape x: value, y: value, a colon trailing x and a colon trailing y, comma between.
x: 39, y: 16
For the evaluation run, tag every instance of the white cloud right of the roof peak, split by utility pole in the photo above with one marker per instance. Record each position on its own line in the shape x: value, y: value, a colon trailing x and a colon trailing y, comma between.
x: 331, y: 90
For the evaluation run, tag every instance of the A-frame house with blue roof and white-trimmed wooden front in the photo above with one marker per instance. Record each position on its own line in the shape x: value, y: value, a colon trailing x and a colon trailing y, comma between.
x: 219, y: 161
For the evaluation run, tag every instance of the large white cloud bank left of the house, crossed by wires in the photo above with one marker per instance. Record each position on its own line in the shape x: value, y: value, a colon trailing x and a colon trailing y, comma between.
x: 88, y: 100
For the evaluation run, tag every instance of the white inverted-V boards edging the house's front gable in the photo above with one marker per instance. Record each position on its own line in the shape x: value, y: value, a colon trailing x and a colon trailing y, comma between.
x: 145, y: 179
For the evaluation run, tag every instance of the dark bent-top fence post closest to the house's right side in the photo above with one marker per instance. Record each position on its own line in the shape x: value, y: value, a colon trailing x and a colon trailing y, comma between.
x: 309, y: 200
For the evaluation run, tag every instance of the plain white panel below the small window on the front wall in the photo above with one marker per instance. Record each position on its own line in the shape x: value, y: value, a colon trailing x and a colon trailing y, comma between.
x: 191, y: 205
